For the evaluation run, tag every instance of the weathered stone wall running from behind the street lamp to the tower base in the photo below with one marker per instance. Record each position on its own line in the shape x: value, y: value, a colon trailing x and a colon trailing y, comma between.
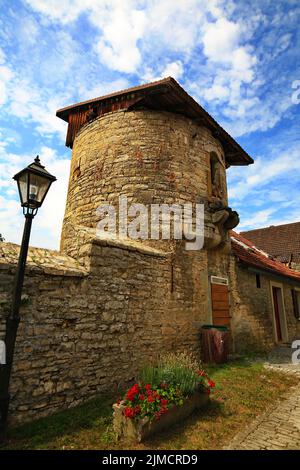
x: 86, y: 330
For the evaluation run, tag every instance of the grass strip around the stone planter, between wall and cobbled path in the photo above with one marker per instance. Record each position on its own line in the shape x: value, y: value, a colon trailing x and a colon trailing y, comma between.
x: 243, y: 391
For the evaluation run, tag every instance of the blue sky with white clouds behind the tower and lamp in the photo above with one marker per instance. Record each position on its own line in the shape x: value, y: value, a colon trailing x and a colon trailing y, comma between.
x: 239, y: 59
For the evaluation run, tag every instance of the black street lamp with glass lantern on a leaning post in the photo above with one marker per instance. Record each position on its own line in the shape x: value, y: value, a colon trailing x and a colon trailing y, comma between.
x: 33, y: 184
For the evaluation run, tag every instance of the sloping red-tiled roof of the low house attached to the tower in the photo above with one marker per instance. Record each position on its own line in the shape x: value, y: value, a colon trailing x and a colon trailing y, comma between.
x: 249, y: 254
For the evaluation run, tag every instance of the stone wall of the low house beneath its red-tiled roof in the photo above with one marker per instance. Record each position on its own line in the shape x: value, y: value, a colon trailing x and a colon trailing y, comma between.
x: 252, y: 310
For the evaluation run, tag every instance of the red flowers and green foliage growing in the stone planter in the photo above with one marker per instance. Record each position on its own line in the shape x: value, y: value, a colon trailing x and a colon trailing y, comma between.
x: 166, y: 385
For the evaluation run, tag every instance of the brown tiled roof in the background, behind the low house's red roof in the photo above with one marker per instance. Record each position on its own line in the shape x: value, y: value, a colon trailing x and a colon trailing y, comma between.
x: 281, y: 241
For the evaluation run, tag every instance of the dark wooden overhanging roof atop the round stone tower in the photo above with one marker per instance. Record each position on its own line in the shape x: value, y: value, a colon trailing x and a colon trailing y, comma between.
x: 165, y: 95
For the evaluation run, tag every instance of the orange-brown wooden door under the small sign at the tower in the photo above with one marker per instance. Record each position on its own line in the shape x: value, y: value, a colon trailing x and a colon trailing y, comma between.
x: 220, y: 305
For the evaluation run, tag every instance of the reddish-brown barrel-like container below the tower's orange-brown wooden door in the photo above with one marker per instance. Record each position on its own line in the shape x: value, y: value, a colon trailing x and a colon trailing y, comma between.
x: 215, y: 343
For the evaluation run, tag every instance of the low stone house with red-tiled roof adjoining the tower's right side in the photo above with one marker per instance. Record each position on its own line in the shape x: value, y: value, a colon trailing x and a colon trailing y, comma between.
x: 264, y: 298
